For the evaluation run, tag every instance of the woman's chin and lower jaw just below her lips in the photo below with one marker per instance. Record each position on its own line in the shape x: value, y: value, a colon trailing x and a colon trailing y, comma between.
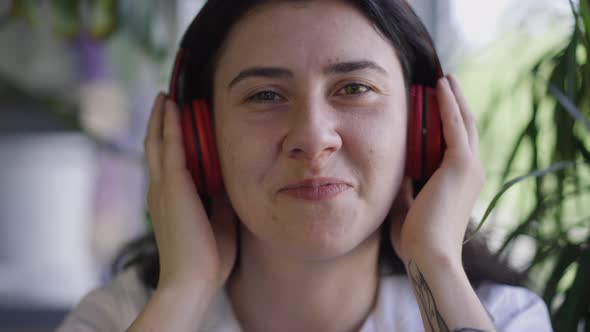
x: 314, y: 231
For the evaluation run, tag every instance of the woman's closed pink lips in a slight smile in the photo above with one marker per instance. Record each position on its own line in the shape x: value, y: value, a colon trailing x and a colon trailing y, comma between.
x: 316, y: 188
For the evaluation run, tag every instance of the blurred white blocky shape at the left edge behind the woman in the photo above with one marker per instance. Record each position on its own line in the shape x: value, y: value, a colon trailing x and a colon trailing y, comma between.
x: 47, y: 184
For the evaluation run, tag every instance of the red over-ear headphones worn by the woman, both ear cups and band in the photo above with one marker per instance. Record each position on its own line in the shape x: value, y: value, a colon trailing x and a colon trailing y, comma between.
x: 425, y: 145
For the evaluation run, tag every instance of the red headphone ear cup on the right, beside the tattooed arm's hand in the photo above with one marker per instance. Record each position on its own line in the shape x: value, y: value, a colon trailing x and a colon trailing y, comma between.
x: 425, y: 140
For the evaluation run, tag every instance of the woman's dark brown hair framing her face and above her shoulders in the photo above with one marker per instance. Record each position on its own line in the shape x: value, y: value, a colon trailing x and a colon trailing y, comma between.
x: 203, y: 43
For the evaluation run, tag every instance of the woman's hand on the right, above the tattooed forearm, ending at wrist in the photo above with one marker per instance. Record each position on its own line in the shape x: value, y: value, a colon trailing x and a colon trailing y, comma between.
x: 434, y: 224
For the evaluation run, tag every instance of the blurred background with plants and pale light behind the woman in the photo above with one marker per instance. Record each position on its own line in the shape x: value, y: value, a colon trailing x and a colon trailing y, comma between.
x: 77, y: 79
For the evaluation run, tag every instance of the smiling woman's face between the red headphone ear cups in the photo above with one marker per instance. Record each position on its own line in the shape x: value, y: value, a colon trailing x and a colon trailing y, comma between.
x: 310, y: 91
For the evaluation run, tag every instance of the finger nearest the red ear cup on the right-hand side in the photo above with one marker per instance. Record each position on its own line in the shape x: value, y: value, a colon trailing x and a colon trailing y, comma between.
x: 454, y: 130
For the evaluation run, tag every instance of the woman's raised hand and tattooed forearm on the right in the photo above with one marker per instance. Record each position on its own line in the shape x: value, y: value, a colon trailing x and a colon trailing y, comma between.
x: 428, y: 231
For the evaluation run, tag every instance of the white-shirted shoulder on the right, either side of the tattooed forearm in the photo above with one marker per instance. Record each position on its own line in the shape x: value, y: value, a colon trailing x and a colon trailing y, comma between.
x: 512, y: 308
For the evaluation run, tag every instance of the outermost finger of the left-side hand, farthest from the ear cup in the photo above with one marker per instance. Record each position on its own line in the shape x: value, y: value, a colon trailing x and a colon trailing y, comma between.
x: 153, y: 138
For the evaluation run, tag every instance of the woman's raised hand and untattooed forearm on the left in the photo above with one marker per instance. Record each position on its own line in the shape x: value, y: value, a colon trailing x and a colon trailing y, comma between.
x: 196, y: 254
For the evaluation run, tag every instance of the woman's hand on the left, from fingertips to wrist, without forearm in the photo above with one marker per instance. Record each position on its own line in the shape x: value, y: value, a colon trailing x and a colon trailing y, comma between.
x: 193, y: 251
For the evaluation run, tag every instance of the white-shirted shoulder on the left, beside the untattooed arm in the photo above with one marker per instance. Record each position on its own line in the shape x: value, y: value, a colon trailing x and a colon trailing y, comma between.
x: 112, y: 307
